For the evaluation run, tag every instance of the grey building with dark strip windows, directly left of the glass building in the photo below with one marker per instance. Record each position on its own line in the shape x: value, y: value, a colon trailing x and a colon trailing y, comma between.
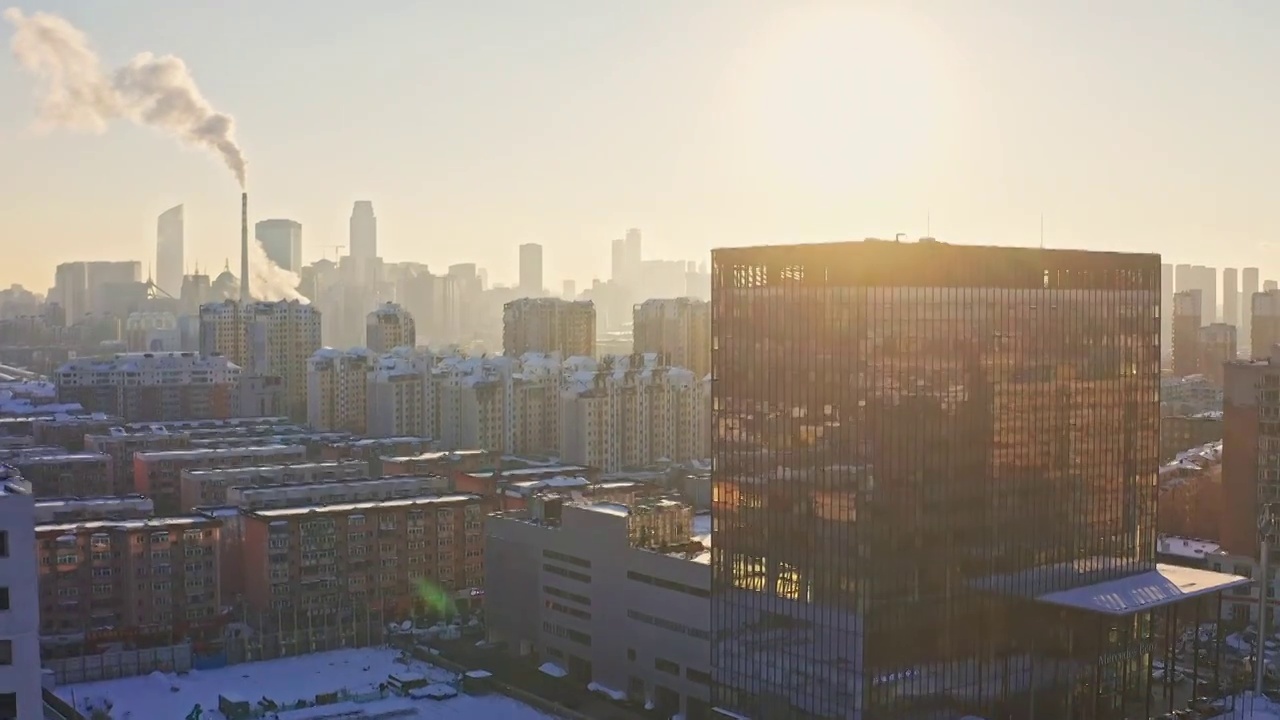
x: 611, y: 595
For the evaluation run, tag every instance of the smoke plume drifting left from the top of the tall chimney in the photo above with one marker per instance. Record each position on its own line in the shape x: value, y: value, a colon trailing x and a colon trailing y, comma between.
x: 79, y: 94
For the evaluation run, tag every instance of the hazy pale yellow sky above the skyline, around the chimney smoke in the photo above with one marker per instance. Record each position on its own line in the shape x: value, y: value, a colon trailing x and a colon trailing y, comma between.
x: 1148, y: 126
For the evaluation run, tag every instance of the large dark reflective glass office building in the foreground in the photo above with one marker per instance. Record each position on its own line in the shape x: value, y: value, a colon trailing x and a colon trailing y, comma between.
x: 912, y: 441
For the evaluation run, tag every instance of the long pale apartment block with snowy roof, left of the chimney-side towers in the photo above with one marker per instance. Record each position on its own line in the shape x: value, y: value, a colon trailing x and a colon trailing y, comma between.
x: 153, y: 386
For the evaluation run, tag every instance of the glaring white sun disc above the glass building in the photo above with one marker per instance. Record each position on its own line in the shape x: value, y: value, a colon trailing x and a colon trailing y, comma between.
x: 843, y: 98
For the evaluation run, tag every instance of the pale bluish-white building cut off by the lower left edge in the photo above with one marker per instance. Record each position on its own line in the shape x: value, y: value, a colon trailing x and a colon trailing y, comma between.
x: 20, y: 603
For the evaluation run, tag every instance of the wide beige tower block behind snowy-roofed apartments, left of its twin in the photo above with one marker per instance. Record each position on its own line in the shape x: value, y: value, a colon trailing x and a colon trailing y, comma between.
x: 548, y: 325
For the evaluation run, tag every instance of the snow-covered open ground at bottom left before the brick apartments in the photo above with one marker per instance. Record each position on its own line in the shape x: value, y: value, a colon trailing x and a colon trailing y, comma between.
x: 152, y: 698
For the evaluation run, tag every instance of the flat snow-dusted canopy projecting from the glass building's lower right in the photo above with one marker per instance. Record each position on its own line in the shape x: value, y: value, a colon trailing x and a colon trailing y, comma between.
x: 1164, y: 586
